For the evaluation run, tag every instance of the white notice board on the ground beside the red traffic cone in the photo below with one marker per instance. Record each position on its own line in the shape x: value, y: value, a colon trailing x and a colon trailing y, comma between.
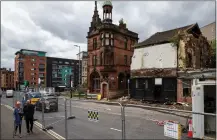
x: 172, y: 130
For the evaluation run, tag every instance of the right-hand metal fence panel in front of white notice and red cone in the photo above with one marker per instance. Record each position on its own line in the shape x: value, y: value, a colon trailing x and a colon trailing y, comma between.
x: 149, y: 122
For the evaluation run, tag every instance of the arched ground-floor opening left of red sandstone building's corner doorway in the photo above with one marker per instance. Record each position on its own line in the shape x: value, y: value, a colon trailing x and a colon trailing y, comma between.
x: 95, y: 82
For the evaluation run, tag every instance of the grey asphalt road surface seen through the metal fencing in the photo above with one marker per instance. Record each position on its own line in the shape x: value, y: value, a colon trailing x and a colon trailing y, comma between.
x: 140, y: 123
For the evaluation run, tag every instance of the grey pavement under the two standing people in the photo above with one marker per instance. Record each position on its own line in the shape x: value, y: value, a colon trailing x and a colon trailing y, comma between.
x: 7, y: 127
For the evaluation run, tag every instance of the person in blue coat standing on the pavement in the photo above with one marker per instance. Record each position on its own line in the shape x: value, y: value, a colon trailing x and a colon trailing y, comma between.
x: 18, y: 115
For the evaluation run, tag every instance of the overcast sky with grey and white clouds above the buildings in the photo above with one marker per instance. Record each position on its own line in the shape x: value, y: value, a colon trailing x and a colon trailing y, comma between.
x: 55, y: 27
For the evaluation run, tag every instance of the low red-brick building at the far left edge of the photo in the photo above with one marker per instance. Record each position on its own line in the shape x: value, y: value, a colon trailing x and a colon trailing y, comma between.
x: 7, y: 79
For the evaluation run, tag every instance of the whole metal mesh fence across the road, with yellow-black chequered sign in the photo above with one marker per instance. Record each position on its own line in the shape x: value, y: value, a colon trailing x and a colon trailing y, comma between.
x: 75, y: 120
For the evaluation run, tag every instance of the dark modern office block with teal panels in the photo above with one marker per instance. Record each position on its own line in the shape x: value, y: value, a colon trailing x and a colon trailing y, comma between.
x: 61, y: 72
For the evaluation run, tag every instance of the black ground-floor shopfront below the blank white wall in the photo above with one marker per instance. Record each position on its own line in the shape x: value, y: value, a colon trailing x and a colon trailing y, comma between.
x: 150, y: 89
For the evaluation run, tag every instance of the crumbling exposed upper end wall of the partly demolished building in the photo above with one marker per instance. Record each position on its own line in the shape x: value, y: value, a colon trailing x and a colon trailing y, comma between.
x: 194, y: 52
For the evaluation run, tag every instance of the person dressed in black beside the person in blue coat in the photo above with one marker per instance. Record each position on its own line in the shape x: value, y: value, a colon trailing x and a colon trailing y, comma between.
x: 29, y: 110
